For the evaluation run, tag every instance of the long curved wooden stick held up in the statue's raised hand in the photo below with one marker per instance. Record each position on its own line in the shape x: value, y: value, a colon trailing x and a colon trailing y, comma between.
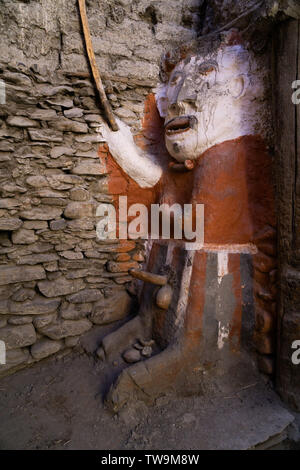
x: 94, y: 67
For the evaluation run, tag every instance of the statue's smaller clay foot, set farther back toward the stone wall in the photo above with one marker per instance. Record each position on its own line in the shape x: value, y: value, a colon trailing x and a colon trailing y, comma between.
x: 115, y: 343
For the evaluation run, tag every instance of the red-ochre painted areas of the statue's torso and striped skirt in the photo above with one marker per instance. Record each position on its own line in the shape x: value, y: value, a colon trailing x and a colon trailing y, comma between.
x: 234, y: 182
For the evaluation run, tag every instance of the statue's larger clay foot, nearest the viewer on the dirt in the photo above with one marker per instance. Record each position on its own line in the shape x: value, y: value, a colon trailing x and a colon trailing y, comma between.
x: 146, y: 380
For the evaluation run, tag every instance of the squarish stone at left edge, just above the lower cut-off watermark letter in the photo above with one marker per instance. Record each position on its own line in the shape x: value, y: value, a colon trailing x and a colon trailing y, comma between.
x: 18, y: 336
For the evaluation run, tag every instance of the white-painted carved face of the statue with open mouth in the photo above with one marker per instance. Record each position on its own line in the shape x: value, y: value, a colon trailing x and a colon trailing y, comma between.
x: 202, y: 102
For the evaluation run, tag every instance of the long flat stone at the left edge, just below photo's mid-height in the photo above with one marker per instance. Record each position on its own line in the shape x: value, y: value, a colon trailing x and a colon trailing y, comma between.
x: 13, y: 274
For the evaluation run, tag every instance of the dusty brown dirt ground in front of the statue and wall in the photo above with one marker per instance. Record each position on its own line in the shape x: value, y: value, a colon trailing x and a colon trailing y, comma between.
x: 58, y: 404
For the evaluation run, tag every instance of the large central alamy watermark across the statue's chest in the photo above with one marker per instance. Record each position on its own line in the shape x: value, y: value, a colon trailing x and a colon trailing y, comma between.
x: 164, y: 222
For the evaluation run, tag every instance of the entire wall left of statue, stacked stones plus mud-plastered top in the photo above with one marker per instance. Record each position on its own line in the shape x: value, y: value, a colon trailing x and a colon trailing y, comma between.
x: 56, y: 279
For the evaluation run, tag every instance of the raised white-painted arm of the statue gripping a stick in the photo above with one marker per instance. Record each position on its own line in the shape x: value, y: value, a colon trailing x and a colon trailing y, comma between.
x: 136, y: 163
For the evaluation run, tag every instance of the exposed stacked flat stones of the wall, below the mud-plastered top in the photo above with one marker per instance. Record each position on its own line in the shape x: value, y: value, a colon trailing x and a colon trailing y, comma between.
x: 56, y: 278
